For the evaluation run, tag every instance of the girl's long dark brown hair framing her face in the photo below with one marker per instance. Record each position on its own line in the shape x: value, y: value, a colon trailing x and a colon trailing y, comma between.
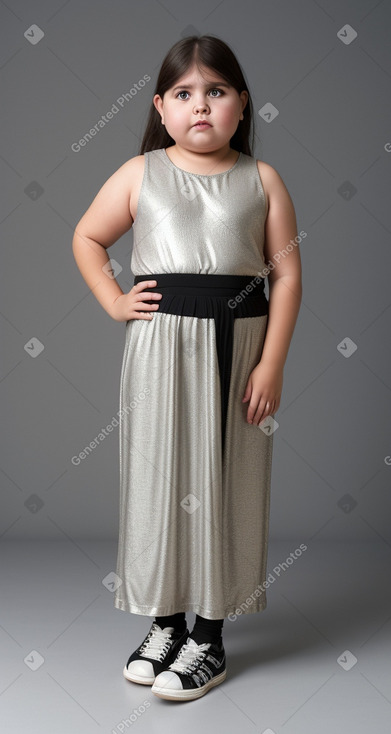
x: 204, y: 51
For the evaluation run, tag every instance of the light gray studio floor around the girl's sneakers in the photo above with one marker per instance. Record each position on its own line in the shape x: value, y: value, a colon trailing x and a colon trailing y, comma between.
x: 317, y: 660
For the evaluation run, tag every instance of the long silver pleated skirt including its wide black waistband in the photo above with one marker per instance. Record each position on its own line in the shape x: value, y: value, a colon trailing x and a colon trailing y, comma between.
x: 194, y: 475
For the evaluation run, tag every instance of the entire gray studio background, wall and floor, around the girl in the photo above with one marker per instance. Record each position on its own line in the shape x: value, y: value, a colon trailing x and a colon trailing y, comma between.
x: 317, y: 659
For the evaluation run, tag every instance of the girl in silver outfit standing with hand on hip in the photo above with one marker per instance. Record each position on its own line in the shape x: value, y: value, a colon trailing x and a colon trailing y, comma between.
x: 202, y: 369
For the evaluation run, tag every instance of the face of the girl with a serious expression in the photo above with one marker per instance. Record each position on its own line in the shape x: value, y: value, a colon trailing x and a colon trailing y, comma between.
x: 195, y: 97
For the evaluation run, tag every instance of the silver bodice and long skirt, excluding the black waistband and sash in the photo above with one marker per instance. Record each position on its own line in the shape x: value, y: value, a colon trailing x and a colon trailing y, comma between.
x: 193, y: 521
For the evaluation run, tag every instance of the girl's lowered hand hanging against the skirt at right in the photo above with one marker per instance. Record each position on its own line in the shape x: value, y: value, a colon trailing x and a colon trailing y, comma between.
x: 263, y: 389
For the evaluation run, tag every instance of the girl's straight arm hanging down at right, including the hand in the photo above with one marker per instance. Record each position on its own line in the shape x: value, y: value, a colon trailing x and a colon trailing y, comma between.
x: 264, y: 385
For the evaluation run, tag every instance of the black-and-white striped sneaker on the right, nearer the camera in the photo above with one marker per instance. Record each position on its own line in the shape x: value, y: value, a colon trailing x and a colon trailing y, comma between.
x: 196, y: 669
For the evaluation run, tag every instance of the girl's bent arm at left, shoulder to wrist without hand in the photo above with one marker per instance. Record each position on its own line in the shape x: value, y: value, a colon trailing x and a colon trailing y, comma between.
x: 104, y: 222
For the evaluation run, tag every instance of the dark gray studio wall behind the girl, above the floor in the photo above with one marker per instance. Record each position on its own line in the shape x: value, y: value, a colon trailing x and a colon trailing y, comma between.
x: 330, y: 141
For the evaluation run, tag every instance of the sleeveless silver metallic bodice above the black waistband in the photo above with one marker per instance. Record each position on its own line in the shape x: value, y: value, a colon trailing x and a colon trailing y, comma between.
x: 199, y: 223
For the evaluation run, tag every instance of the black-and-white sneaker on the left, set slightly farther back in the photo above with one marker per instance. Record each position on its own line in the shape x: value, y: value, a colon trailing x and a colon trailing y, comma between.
x: 157, y: 650
